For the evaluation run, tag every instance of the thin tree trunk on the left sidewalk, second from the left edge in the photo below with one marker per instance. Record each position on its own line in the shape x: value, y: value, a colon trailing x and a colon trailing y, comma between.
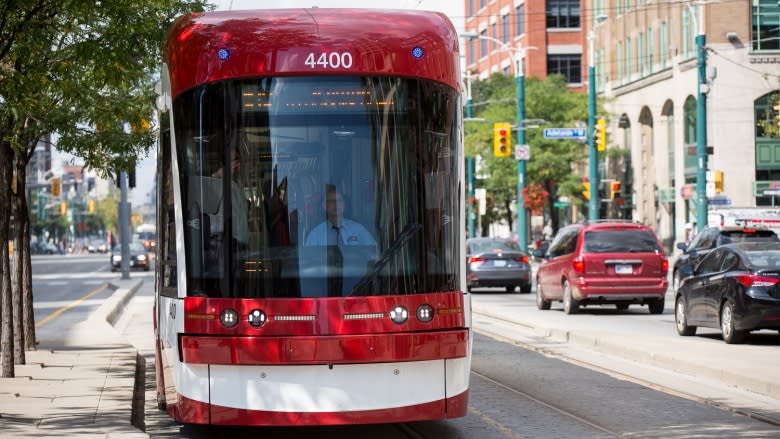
x: 17, y: 283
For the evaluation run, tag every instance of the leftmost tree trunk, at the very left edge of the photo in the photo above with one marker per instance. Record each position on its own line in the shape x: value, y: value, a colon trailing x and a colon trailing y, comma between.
x: 6, y: 337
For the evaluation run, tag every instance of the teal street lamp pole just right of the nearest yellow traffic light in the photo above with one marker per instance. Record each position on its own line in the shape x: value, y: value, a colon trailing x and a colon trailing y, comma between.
x: 517, y: 56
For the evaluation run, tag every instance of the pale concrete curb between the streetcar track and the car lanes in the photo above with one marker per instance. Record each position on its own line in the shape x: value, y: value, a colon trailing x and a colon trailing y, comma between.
x: 651, y: 357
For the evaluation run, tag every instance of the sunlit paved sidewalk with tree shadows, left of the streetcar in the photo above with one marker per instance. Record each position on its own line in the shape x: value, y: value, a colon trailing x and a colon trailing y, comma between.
x: 82, y: 390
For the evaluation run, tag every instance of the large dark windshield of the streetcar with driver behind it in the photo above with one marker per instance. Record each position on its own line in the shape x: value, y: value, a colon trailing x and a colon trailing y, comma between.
x: 319, y: 186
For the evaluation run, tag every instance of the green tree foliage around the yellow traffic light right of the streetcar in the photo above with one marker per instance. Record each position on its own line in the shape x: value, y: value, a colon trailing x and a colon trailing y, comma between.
x: 552, y: 161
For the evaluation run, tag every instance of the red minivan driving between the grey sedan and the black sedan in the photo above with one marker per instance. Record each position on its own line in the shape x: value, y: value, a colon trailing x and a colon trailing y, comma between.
x: 603, y: 262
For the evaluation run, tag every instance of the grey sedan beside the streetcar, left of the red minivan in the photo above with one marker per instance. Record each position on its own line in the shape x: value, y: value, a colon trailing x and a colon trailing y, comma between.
x: 497, y: 262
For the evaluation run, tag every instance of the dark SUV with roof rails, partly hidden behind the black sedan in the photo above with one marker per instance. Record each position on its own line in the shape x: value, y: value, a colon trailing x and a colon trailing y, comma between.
x: 710, y: 238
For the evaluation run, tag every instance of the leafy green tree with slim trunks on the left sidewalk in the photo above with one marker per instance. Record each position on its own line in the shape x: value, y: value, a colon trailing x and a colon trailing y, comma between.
x: 86, y: 73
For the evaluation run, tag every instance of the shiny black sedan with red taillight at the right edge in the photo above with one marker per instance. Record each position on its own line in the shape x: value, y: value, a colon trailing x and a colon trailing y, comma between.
x: 736, y: 288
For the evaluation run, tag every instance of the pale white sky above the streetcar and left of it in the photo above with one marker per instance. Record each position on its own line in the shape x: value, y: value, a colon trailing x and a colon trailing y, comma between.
x: 145, y: 172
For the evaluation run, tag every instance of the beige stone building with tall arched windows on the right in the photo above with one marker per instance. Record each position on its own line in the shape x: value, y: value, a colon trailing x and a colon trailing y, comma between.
x: 646, y: 71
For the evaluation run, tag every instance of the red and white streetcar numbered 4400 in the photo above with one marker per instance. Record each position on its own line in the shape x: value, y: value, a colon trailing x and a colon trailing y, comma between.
x: 310, y: 261
